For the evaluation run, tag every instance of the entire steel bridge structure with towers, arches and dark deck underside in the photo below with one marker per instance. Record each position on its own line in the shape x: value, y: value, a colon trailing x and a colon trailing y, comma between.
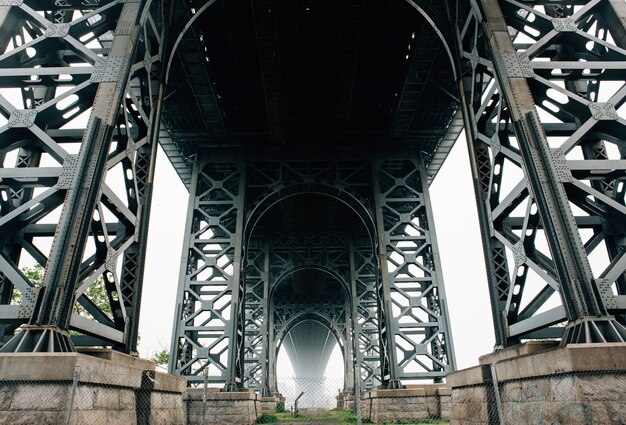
x: 307, y: 133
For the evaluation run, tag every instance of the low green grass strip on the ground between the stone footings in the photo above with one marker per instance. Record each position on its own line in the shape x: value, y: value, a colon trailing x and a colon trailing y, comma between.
x: 336, y: 417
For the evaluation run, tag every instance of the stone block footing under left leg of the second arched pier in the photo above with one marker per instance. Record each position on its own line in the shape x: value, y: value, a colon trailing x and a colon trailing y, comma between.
x: 222, y: 408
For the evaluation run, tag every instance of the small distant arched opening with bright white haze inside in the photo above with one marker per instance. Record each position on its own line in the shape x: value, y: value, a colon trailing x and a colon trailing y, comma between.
x: 311, y: 310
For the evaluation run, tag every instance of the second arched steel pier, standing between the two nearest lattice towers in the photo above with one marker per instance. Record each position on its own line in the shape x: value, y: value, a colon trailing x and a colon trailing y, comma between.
x: 226, y: 318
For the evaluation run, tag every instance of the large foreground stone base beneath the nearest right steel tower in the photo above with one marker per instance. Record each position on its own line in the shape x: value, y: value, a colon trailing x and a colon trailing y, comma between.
x: 541, y: 383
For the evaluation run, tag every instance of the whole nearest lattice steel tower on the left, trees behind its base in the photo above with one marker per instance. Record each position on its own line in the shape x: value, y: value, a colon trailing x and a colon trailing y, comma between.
x: 80, y: 95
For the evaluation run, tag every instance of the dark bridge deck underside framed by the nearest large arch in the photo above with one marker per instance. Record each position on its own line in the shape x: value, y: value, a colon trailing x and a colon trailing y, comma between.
x: 297, y: 77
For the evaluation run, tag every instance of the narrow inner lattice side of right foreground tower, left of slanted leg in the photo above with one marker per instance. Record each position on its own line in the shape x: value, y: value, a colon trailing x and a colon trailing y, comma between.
x: 494, y: 158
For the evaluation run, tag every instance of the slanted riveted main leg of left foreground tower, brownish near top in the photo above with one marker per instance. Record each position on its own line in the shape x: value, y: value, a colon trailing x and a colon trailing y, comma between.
x: 50, y: 318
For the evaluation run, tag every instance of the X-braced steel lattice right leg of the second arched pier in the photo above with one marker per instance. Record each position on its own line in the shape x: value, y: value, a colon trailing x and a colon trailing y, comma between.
x: 416, y: 325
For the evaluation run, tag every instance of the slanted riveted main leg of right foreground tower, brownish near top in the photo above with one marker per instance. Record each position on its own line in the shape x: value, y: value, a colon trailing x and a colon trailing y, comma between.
x: 586, y: 310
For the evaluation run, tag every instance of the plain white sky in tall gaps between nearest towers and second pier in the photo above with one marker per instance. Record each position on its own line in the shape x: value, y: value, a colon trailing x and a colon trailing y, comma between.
x: 459, y: 242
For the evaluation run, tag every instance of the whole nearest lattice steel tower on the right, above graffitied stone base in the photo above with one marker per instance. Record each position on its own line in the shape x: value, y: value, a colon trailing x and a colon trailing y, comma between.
x: 543, y: 88
